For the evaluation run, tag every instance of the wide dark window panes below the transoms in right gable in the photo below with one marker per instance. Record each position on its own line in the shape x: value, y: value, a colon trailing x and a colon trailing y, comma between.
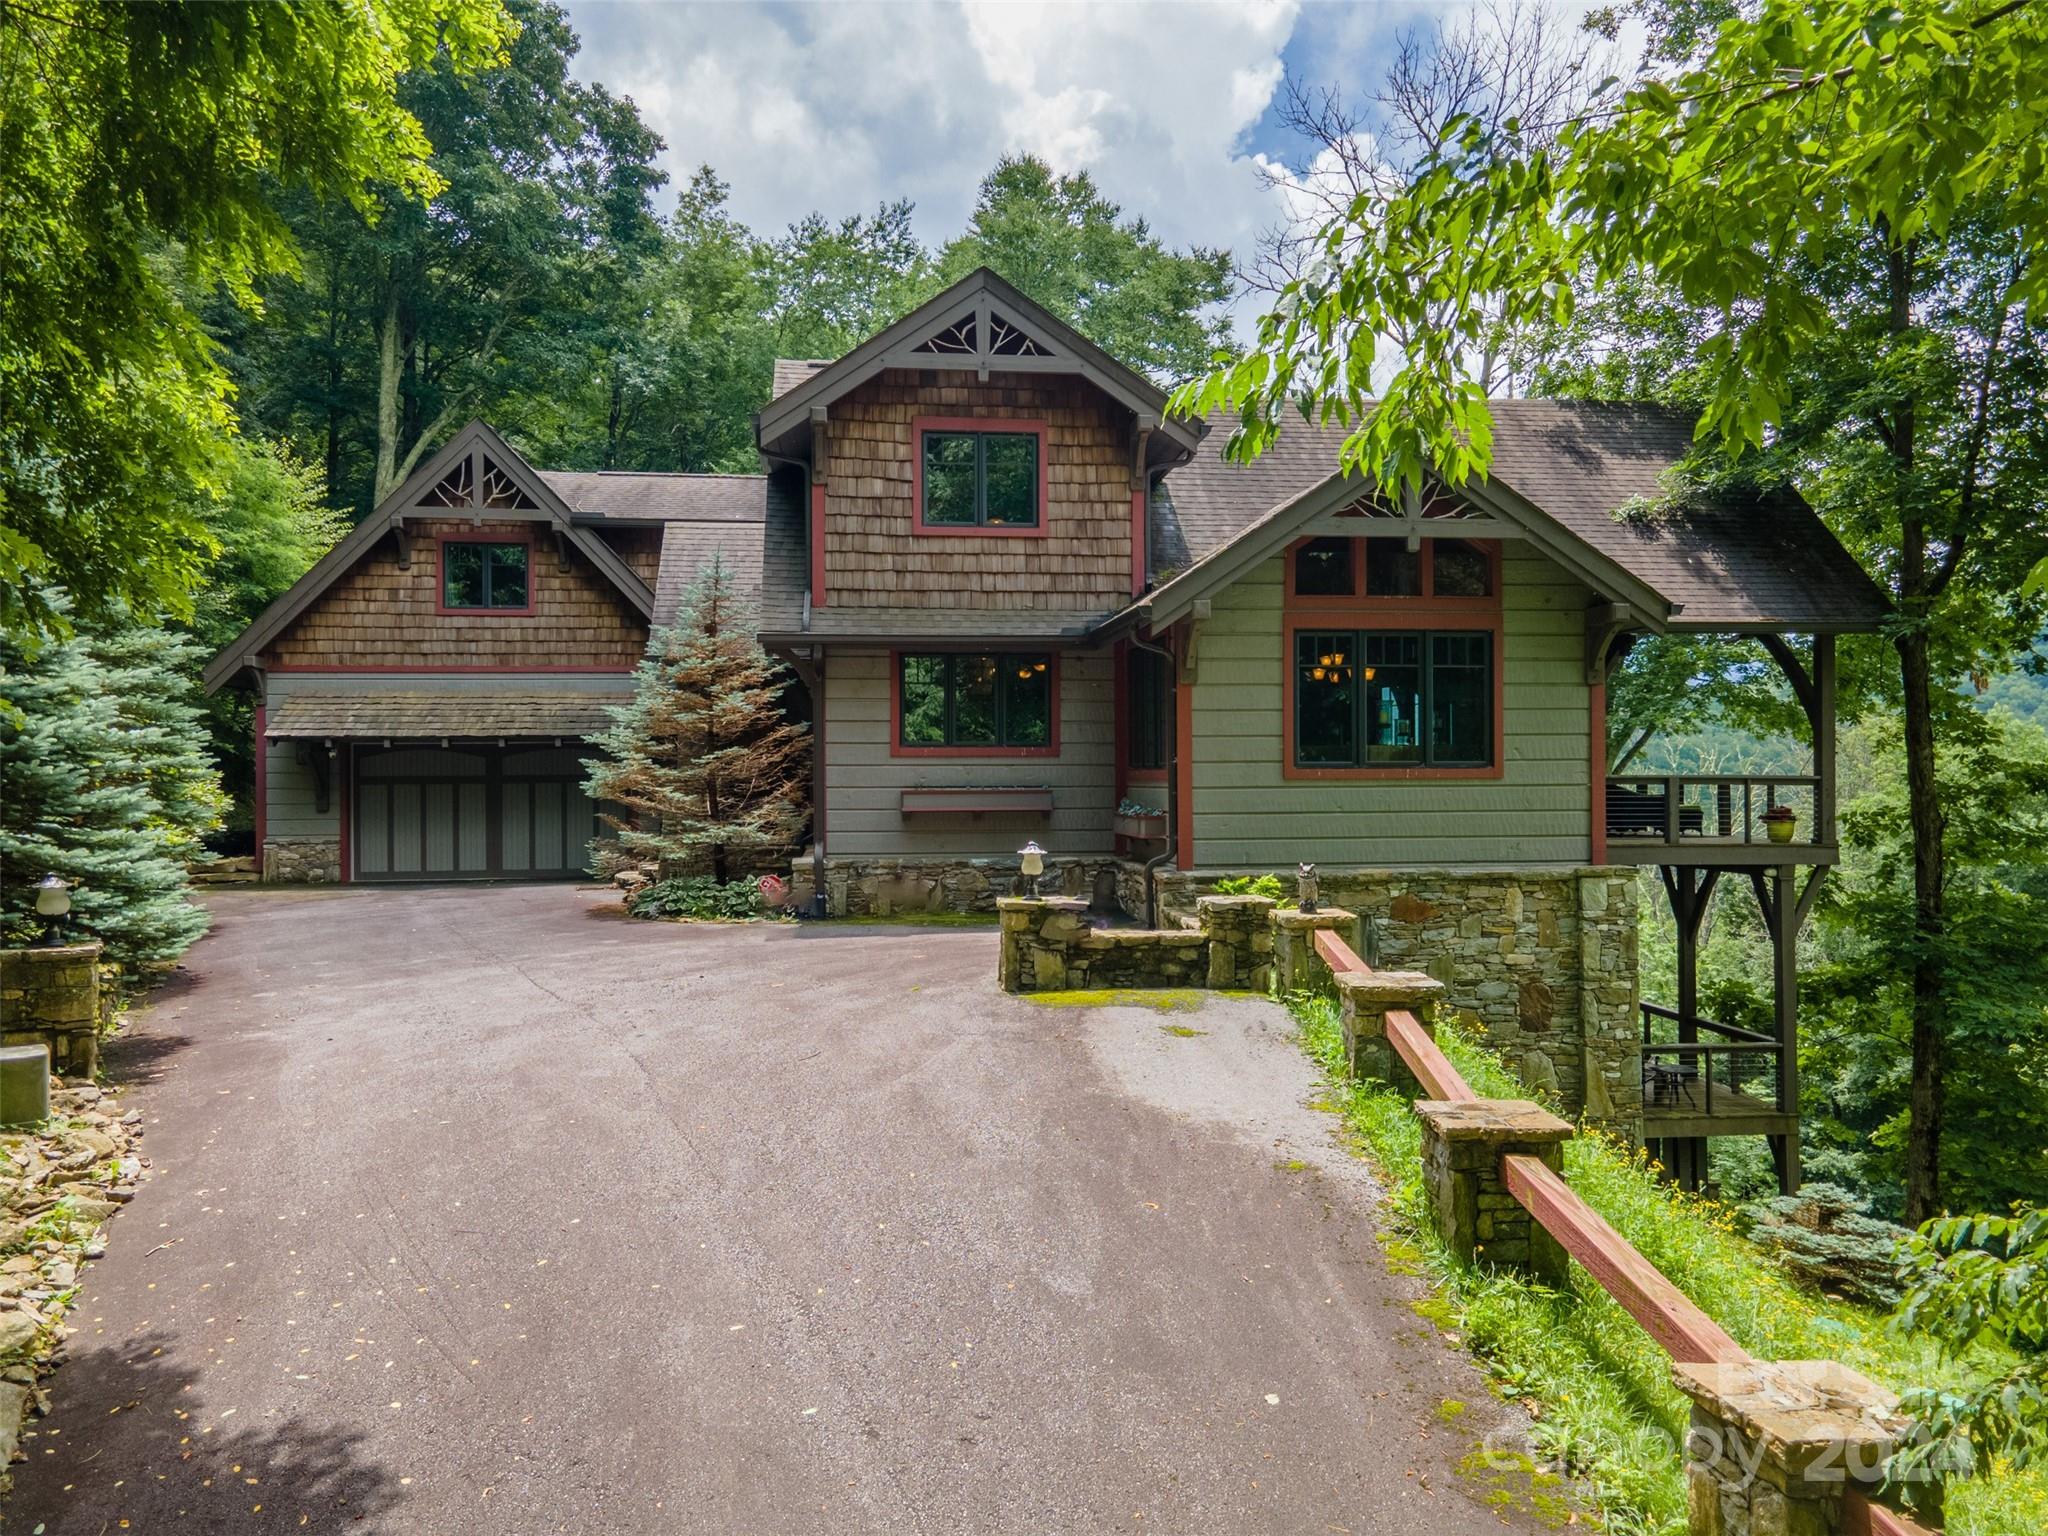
x: 1394, y: 699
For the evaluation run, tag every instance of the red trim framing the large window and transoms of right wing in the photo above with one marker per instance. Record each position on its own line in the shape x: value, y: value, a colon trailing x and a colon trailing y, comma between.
x: 1428, y: 611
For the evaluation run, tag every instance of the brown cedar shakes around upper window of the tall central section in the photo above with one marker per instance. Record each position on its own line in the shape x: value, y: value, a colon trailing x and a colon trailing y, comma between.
x: 876, y: 558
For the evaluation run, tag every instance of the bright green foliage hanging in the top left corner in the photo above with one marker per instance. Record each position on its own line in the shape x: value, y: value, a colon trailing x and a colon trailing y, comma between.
x: 146, y: 146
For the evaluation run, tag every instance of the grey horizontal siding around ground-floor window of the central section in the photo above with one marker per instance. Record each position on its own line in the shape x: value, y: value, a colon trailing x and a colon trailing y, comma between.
x: 865, y: 781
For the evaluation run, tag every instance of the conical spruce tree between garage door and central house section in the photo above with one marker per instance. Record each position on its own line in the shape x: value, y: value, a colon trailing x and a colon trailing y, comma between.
x: 706, y: 757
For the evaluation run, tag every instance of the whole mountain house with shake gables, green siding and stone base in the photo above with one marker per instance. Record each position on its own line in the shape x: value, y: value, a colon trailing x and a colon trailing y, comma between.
x: 1029, y: 605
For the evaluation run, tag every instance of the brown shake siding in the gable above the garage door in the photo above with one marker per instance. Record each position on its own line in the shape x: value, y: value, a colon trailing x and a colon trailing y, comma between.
x: 384, y: 615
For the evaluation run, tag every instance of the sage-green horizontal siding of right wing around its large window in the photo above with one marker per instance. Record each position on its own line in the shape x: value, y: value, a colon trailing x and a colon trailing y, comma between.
x: 1537, y: 812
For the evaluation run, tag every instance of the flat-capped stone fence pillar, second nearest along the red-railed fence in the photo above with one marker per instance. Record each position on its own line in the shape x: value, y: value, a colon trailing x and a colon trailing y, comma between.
x: 1461, y: 1168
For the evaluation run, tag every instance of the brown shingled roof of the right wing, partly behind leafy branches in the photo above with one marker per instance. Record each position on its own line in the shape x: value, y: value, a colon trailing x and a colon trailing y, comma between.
x: 1725, y: 560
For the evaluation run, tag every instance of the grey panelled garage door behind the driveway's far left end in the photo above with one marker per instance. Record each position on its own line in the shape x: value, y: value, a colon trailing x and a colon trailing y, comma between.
x: 470, y: 814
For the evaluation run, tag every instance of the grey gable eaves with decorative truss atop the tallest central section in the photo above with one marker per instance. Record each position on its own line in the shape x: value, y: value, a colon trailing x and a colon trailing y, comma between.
x: 980, y: 327
